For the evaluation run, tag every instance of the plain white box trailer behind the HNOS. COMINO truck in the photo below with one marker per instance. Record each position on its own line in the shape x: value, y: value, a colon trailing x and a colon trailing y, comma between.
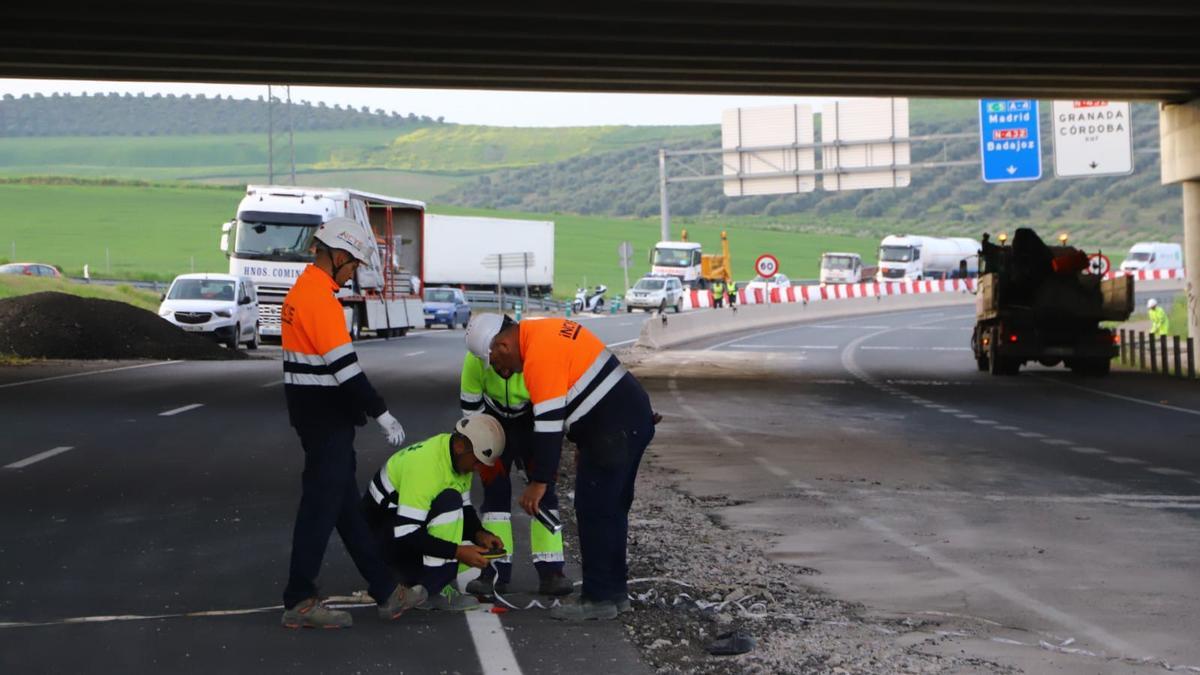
x: 455, y: 249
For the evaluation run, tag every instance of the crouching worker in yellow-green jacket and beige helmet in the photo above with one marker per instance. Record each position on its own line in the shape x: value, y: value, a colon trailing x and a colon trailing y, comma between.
x: 419, y: 510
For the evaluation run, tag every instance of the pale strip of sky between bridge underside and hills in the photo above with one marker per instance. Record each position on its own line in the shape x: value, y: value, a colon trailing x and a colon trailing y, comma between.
x: 500, y: 109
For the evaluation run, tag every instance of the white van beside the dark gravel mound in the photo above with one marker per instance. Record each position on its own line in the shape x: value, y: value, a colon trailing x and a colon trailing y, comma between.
x: 220, y: 306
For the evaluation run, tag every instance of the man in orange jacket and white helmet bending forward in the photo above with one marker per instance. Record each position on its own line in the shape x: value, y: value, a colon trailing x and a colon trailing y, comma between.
x: 578, y: 387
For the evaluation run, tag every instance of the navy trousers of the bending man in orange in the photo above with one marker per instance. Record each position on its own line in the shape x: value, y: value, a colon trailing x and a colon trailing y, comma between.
x: 611, y: 444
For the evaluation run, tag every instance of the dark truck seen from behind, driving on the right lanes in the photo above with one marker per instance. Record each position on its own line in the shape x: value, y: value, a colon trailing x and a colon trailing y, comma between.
x: 1039, y: 303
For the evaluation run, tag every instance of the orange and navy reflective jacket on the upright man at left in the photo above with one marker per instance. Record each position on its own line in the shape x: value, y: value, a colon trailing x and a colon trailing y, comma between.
x: 322, y: 379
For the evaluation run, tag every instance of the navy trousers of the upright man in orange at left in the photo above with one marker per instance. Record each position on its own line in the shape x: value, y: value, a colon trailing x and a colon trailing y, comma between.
x: 331, y: 499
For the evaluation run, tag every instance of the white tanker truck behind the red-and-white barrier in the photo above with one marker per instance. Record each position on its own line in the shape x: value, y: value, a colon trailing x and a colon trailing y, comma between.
x: 913, y: 258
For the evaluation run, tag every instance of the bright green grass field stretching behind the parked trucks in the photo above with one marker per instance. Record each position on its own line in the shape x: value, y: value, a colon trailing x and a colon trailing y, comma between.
x: 160, y: 232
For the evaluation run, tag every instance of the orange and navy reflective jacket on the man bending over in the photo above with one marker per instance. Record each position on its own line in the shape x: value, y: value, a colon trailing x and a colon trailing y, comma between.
x: 568, y: 371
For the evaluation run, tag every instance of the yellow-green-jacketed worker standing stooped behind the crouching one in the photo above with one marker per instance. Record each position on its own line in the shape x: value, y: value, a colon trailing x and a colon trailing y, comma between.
x: 507, y: 399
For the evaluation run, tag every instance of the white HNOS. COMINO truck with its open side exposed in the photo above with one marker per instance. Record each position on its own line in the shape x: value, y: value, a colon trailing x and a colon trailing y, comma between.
x: 271, y: 242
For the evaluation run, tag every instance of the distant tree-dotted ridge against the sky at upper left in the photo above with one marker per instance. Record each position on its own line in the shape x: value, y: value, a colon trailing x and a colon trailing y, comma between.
x: 129, y: 115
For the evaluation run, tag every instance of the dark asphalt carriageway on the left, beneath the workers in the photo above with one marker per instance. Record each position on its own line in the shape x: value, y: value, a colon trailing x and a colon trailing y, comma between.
x: 136, y: 493
